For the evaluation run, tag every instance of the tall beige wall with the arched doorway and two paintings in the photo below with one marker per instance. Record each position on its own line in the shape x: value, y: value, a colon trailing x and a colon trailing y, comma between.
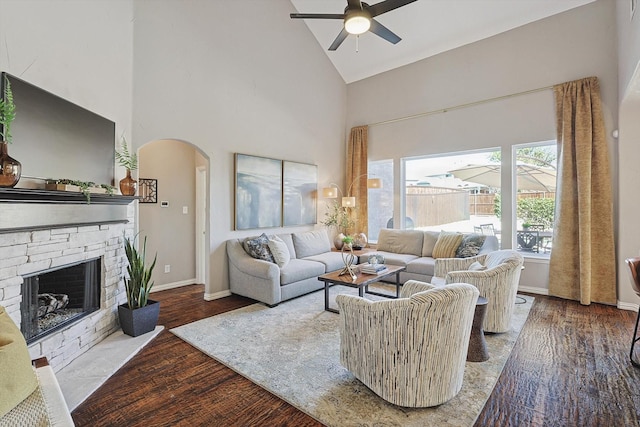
x: 231, y: 77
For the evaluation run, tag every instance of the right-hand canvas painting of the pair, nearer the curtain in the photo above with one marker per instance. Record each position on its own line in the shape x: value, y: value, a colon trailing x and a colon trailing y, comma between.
x: 300, y: 191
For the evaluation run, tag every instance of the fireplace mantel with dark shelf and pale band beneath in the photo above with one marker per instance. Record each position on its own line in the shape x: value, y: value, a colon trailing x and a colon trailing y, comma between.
x: 31, y: 209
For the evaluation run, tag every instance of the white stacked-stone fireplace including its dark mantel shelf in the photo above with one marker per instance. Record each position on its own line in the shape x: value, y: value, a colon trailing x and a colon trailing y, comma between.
x: 49, y: 234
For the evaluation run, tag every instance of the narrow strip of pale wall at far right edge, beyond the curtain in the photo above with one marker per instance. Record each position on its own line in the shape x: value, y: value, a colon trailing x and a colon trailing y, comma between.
x: 629, y: 150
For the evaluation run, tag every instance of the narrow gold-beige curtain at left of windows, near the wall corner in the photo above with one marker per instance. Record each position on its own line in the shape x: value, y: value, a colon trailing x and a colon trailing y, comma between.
x: 357, y: 177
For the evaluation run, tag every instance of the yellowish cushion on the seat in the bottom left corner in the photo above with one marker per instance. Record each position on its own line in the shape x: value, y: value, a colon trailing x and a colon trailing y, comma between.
x: 18, y: 379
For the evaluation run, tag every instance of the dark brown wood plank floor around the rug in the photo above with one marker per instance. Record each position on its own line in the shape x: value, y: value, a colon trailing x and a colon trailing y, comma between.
x: 569, y: 368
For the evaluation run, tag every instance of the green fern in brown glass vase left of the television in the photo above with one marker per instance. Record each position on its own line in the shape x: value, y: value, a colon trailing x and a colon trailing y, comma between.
x: 10, y: 168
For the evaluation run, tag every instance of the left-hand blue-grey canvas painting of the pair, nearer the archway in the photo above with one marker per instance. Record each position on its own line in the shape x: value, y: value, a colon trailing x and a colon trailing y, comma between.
x: 258, y: 192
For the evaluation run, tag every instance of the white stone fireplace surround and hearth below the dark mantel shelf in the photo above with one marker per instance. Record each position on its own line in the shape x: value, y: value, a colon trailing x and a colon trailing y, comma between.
x: 24, y: 252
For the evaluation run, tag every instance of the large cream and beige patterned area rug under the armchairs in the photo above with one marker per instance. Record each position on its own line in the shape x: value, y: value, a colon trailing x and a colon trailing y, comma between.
x: 292, y: 350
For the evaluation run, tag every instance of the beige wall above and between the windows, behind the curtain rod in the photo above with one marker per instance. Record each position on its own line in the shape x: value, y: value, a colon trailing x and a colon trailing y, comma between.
x: 569, y: 46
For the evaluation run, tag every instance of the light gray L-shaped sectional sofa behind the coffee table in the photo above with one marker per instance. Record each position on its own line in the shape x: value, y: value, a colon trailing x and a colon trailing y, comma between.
x: 301, y: 257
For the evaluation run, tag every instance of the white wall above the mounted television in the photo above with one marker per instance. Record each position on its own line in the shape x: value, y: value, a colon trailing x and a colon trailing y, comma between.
x: 79, y: 50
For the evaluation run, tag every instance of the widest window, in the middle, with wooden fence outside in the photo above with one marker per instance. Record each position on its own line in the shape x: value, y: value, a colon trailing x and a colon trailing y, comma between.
x: 453, y: 192
